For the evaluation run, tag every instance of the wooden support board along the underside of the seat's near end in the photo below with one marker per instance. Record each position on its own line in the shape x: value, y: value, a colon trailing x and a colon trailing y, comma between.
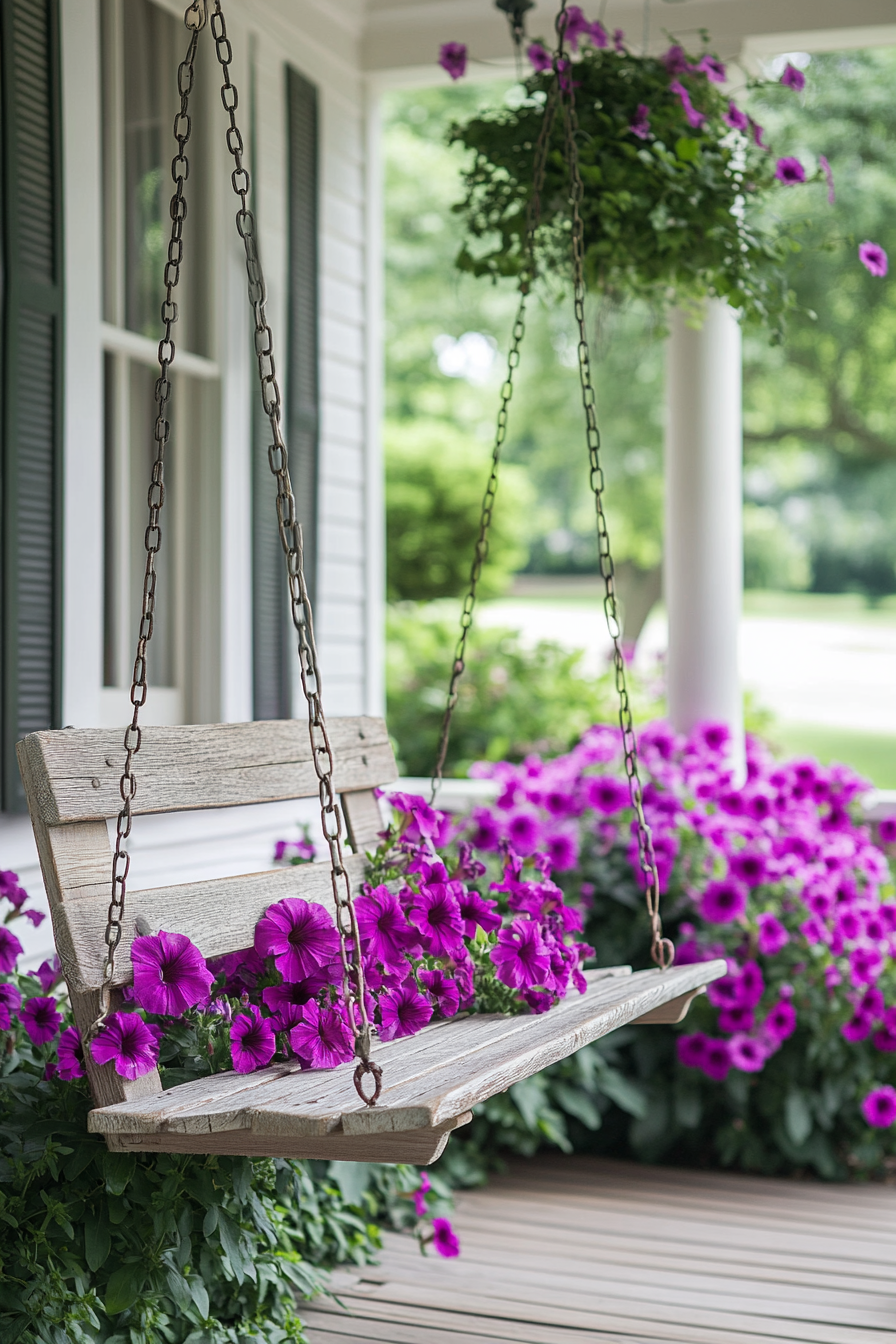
x: 420, y: 1147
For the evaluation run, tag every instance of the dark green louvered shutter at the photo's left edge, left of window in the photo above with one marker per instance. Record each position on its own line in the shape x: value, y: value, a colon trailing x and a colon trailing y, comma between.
x: 30, y: 378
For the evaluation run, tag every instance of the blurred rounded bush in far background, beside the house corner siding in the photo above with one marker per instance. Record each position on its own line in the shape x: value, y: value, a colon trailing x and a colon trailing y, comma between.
x: 436, y: 479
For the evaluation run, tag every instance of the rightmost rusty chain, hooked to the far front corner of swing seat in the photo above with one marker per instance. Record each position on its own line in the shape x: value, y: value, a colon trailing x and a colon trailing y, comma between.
x: 662, y: 950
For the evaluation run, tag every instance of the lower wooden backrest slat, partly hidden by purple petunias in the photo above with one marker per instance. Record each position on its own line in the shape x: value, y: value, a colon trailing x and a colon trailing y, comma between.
x: 220, y: 916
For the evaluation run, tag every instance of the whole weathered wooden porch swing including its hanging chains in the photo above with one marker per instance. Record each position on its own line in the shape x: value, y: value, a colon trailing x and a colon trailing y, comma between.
x: 404, y: 1104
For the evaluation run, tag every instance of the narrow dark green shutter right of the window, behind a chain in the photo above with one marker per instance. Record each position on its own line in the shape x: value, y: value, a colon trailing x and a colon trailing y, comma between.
x: 273, y: 643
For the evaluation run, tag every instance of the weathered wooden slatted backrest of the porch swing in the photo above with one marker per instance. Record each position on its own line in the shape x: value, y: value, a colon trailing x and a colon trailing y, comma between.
x: 72, y: 784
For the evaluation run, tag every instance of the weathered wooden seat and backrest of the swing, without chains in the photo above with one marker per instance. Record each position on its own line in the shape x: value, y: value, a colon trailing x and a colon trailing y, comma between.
x: 431, y: 1081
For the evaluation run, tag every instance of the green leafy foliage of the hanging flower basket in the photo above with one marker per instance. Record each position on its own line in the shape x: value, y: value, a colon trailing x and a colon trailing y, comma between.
x: 672, y: 218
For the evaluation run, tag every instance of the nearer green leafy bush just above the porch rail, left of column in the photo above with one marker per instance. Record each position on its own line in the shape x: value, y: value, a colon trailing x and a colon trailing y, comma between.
x: 512, y: 700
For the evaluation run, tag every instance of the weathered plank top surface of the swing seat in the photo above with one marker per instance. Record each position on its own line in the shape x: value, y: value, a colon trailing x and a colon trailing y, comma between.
x: 428, y: 1080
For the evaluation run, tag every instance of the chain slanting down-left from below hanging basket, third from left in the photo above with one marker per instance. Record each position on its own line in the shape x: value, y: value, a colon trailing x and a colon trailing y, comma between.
x: 482, y: 550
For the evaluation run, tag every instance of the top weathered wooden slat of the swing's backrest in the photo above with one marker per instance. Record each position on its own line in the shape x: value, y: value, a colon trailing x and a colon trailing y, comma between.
x: 75, y: 773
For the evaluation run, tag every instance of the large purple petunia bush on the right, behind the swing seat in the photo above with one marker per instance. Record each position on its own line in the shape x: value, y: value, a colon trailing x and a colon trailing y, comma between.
x: 781, y: 1065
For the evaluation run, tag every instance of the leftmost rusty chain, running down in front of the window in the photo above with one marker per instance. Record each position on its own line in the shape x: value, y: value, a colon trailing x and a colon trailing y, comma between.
x: 195, y: 21
